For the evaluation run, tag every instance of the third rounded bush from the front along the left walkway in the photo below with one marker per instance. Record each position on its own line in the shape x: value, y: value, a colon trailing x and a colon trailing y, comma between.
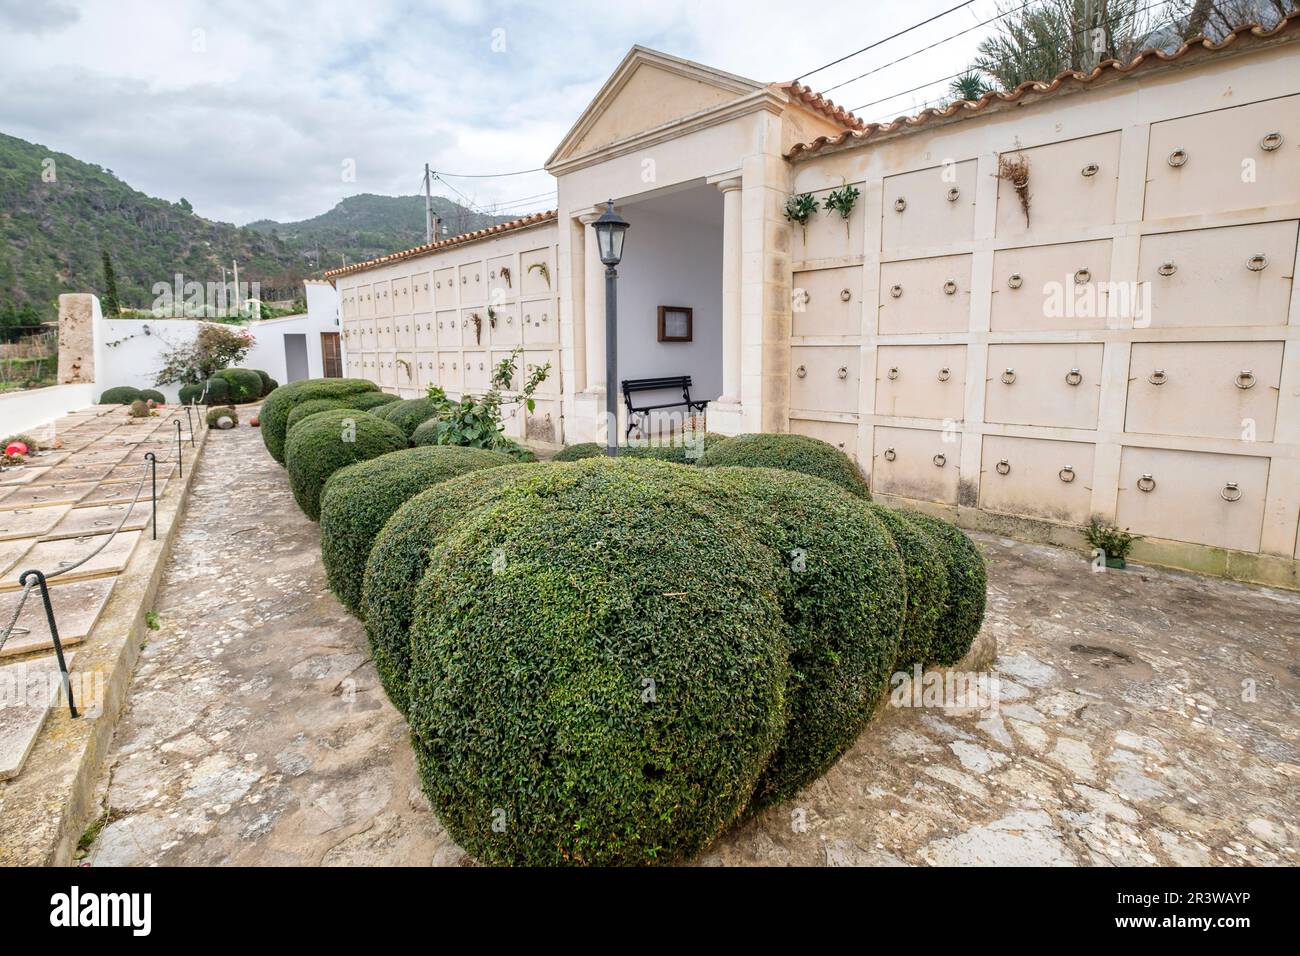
x: 358, y: 500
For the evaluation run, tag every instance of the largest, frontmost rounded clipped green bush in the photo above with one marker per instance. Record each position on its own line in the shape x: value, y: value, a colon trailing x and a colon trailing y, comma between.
x: 599, y: 669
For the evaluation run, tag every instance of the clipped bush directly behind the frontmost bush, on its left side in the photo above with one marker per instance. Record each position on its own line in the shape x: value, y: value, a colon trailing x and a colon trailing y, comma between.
x: 401, y: 556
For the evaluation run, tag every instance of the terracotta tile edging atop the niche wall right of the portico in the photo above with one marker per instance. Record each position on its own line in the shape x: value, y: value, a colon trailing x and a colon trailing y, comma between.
x: 1069, y: 79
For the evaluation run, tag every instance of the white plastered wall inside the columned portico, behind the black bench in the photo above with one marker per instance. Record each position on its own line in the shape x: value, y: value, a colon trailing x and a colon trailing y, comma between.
x: 674, y: 257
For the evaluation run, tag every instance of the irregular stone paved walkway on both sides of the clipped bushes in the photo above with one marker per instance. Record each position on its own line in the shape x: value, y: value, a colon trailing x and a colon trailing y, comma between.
x: 1145, y: 717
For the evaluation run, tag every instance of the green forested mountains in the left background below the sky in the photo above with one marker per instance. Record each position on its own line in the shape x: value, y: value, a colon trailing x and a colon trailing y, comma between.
x: 58, y: 215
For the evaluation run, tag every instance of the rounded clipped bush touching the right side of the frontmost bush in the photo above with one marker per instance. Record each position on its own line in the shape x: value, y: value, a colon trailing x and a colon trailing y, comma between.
x: 844, y: 607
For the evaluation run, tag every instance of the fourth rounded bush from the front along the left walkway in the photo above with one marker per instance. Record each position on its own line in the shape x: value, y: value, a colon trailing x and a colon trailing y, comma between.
x: 328, y: 442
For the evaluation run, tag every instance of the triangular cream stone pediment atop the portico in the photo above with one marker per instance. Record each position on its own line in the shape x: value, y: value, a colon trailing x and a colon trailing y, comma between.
x: 647, y: 92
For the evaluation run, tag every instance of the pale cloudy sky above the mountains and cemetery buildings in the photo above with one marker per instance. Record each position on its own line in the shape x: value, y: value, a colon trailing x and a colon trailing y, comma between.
x: 252, y: 109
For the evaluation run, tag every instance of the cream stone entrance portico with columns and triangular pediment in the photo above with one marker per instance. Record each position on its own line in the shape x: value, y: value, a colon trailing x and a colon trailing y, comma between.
x: 692, y: 158
